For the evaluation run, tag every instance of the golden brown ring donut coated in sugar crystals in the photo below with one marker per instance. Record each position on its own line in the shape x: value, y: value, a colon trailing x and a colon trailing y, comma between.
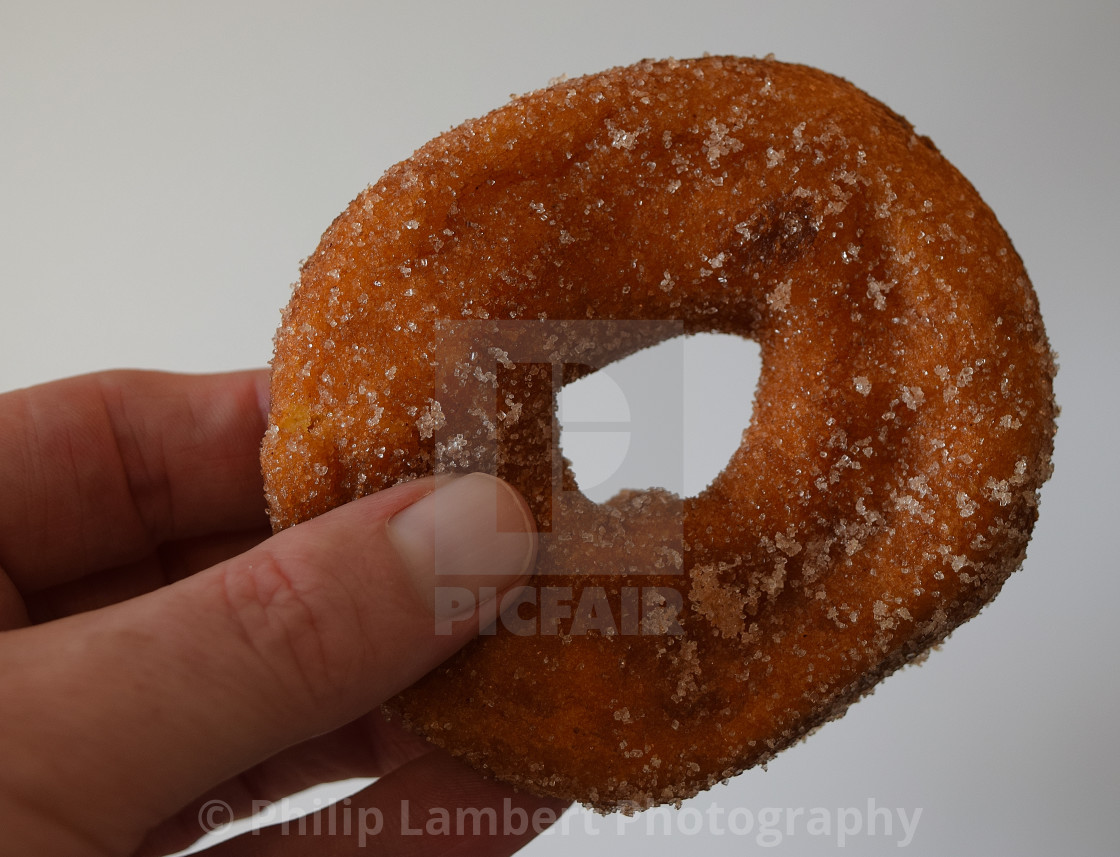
x: 885, y: 489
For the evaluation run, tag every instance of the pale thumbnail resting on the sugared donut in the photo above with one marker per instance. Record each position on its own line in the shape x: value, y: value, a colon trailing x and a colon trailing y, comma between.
x: 471, y: 536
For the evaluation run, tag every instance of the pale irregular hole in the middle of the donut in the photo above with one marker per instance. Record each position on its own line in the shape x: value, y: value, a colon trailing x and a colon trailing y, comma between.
x: 668, y: 417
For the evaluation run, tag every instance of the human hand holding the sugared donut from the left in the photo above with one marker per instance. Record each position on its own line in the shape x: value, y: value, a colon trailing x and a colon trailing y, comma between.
x: 163, y: 654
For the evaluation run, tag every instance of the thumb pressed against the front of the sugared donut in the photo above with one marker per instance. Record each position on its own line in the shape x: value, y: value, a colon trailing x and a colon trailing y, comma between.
x: 169, y: 694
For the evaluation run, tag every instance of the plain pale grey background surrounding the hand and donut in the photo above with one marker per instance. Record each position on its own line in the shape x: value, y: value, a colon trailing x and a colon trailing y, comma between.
x: 165, y: 167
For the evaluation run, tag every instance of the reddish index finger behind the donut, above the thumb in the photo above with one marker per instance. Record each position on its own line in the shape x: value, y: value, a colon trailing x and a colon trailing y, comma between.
x: 99, y: 471
